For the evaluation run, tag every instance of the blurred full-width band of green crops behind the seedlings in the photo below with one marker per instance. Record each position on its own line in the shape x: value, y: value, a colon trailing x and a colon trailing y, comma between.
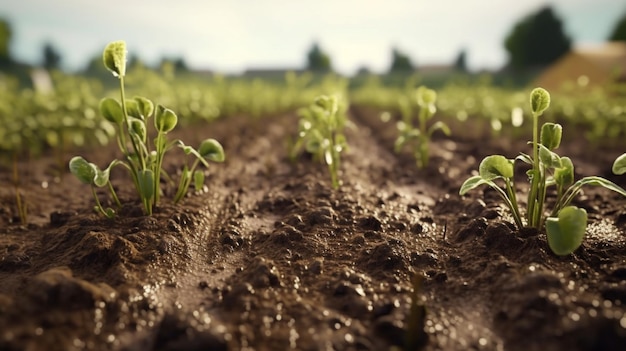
x: 34, y: 120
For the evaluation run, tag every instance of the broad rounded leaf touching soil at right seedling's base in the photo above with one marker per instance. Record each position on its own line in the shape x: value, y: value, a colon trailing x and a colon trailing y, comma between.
x: 565, y: 232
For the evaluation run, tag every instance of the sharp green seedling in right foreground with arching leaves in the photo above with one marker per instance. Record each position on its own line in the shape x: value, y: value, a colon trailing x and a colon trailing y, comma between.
x: 566, y: 224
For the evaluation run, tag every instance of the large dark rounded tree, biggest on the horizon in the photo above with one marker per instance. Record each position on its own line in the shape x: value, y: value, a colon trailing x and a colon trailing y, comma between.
x: 537, y: 40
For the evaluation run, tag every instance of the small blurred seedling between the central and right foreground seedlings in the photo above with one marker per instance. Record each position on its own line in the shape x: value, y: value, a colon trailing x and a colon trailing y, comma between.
x: 418, y: 136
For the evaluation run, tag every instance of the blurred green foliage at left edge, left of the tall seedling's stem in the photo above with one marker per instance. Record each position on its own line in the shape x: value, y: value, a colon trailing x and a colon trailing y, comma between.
x: 37, y: 121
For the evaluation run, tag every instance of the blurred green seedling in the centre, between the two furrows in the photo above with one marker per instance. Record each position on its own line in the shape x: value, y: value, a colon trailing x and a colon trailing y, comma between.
x: 320, y: 132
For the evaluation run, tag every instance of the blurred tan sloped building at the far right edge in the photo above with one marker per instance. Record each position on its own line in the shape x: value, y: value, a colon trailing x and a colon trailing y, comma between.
x: 586, y: 67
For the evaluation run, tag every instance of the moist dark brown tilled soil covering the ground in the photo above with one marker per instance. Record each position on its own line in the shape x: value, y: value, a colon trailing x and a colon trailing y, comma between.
x: 269, y: 257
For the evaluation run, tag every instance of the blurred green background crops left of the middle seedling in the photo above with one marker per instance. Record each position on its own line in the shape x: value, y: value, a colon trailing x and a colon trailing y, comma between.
x: 37, y: 119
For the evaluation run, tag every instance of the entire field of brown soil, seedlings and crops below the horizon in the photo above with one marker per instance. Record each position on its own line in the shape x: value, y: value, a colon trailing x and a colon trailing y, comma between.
x: 157, y: 212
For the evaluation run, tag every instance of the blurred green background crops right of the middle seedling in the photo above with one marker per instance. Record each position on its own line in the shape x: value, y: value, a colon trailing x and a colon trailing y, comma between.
x: 601, y: 113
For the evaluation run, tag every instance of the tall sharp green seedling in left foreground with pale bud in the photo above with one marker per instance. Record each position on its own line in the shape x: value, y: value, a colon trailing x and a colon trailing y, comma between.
x: 142, y: 158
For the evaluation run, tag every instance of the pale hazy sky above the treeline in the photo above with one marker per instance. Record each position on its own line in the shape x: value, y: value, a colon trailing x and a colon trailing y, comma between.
x: 235, y: 35
